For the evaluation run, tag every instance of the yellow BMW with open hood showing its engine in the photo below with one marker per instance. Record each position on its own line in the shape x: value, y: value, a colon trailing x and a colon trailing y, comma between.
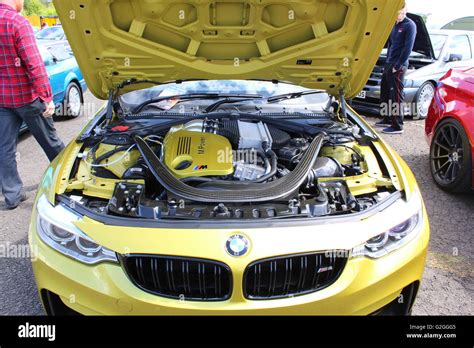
x: 226, y: 175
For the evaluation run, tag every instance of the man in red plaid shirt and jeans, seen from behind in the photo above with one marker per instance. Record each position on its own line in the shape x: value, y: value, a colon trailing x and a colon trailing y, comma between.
x: 25, y: 96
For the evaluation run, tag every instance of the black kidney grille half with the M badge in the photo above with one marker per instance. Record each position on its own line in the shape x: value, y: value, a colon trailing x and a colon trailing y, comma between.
x: 292, y: 275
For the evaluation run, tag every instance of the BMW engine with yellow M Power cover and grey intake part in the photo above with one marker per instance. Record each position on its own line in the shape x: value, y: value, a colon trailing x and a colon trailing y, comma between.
x: 234, y: 149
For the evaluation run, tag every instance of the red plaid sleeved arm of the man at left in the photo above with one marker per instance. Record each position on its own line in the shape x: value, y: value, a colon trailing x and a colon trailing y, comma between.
x: 30, y: 56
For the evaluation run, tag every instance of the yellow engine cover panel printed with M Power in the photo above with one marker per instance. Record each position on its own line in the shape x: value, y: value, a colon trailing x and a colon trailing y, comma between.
x: 189, y: 154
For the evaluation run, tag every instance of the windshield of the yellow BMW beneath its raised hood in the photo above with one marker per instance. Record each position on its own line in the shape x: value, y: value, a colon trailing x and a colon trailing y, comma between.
x: 264, y: 89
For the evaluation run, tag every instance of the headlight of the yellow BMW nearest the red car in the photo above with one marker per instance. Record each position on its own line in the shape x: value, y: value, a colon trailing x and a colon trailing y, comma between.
x: 395, y: 237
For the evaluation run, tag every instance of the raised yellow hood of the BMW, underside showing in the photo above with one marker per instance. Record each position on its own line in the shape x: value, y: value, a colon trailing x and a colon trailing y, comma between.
x: 321, y: 44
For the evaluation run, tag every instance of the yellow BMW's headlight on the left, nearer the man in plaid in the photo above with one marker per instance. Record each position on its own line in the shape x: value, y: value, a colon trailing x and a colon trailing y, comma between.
x: 55, y: 226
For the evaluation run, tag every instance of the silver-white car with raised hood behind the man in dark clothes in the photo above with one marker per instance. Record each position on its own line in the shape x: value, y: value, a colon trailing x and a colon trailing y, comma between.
x: 433, y: 56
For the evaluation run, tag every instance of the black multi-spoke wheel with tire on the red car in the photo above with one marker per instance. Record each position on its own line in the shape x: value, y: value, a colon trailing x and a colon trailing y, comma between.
x: 451, y: 158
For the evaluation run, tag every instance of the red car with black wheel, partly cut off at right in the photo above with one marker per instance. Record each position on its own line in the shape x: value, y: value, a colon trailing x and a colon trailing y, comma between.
x: 450, y: 131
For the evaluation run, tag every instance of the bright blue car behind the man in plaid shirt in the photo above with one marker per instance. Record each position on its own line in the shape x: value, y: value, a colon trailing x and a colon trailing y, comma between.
x: 66, y: 80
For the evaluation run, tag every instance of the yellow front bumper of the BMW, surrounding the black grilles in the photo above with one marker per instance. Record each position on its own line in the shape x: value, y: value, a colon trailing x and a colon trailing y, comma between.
x: 364, y: 287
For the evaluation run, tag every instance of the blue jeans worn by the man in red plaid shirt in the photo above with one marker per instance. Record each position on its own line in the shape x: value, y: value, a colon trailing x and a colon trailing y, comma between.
x: 42, y: 129
